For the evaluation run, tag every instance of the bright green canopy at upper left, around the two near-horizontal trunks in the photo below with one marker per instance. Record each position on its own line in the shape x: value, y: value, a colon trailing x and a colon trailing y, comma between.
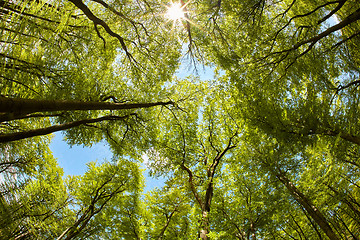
x: 53, y: 51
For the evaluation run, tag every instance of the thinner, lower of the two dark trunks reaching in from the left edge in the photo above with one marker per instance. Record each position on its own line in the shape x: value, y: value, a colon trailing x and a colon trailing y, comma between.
x: 9, y: 137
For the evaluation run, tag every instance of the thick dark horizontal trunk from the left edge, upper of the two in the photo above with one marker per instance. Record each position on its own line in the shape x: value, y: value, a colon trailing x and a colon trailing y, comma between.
x: 12, y: 108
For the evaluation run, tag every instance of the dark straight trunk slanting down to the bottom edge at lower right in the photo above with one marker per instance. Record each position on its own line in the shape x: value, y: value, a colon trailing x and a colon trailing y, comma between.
x: 315, y: 214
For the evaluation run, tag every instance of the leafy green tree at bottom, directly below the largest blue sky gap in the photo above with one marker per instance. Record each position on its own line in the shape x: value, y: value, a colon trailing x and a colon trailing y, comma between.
x: 100, y: 199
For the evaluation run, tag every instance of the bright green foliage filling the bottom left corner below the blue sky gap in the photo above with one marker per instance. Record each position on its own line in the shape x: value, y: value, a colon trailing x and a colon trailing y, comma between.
x: 96, y: 204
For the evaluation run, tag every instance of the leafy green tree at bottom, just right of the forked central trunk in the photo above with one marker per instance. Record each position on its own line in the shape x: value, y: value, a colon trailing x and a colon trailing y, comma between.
x: 247, y: 204
